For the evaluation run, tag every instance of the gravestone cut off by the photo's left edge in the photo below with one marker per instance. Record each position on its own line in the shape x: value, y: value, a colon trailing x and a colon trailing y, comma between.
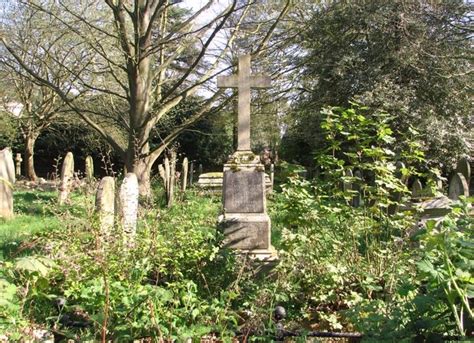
x: 7, y: 179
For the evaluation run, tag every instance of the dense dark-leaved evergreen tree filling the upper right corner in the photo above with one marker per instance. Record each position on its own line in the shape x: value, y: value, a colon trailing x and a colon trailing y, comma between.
x: 412, y: 59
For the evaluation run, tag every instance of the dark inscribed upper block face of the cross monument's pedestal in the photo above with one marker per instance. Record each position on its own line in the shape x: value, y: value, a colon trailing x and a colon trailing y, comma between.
x: 244, y: 192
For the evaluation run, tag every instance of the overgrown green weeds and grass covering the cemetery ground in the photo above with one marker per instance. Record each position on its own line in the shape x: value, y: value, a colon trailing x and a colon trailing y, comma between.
x: 340, y: 268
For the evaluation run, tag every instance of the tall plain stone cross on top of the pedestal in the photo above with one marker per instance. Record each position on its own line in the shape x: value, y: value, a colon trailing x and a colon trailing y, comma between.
x: 243, y: 81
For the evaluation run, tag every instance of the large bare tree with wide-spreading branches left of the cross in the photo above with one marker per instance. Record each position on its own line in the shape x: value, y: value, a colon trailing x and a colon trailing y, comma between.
x: 141, y: 59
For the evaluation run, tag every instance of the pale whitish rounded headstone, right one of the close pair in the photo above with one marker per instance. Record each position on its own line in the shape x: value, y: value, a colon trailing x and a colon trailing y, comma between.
x: 129, y: 207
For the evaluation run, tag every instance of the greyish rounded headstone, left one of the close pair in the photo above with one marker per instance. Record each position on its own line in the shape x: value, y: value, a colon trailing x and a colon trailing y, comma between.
x: 105, y: 205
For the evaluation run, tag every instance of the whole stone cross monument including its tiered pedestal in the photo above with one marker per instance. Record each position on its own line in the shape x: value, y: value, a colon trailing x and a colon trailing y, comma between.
x: 246, y: 223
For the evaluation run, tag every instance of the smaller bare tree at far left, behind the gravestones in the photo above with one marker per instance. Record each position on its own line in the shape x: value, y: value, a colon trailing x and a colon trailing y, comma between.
x: 33, y: 105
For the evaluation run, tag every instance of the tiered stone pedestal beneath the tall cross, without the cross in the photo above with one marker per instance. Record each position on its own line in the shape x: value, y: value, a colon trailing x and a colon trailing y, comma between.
x: 246, y: 224
